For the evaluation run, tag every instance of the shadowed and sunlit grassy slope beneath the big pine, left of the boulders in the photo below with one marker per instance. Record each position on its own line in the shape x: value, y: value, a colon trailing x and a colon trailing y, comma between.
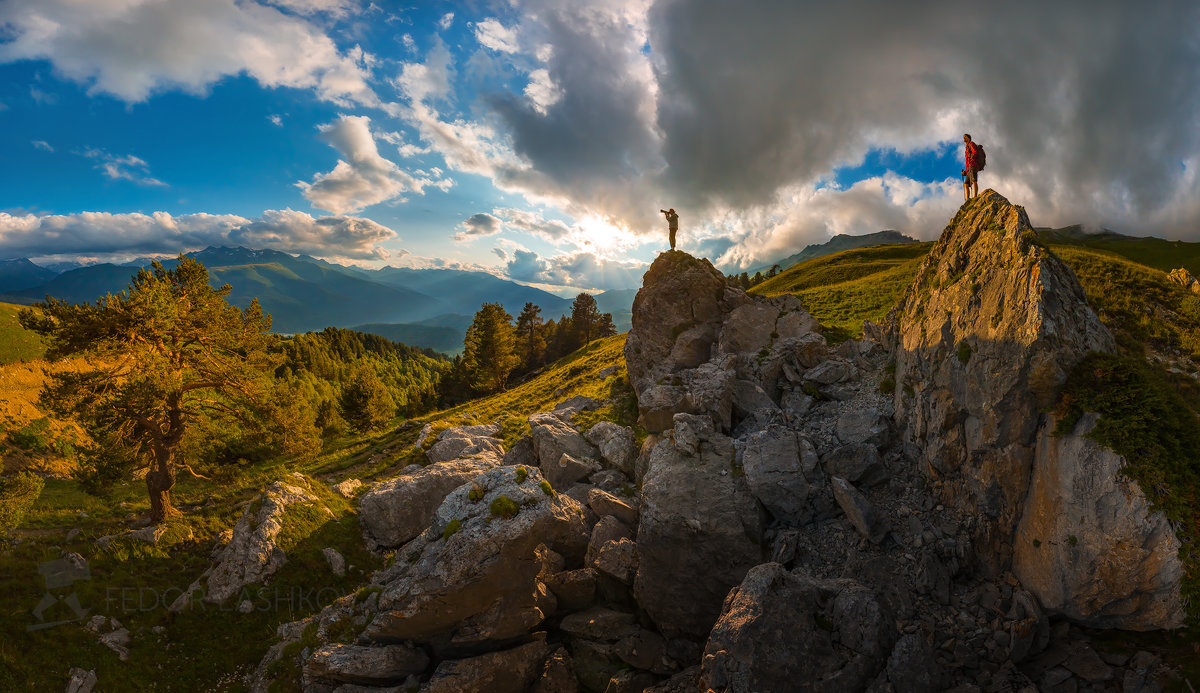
x: 212, y: 649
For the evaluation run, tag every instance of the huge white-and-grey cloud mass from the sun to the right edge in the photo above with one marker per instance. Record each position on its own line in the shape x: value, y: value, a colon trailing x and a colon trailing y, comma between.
x: 740, y: 115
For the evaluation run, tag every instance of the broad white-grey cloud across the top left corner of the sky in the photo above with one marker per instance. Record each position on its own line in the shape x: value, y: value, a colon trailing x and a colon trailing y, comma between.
x: 135, y: 49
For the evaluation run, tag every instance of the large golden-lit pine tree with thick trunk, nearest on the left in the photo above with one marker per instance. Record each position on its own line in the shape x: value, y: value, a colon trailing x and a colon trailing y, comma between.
x: 164, y: 357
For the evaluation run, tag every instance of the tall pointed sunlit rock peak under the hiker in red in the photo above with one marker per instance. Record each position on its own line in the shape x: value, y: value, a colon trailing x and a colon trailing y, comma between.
x: 982, y: 340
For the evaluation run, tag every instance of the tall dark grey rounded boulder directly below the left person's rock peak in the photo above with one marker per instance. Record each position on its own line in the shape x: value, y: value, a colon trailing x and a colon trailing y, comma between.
x: 700, y: 529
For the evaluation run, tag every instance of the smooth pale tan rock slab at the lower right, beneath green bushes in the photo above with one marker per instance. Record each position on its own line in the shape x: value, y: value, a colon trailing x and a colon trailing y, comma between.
x: 1089, y: 546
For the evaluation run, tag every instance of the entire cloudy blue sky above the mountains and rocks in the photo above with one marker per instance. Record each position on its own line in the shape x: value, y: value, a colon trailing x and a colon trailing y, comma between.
x: 539, y: 140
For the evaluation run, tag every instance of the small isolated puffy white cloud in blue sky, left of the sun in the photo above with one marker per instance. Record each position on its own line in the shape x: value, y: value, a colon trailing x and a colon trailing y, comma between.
x: 362, y: 178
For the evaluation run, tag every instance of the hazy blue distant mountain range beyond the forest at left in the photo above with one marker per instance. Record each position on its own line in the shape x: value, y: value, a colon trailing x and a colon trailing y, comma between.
x: 418, y: 308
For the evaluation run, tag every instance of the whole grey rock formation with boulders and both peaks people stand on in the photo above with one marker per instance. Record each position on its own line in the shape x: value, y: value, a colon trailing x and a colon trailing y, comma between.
x: 885, y: 515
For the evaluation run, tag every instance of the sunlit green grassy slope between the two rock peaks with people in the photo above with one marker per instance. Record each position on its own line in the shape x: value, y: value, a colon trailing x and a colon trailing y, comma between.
x: 844, y: 290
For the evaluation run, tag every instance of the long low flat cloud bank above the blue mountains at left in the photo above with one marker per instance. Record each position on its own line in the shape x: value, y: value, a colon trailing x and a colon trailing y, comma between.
x: 161, y: 233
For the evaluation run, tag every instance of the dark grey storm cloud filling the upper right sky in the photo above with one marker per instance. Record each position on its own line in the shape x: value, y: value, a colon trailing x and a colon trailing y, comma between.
x: 1088, y: 107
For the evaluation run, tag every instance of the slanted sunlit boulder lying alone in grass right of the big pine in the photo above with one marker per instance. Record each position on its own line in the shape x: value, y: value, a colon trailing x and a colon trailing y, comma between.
x: 253, y: 555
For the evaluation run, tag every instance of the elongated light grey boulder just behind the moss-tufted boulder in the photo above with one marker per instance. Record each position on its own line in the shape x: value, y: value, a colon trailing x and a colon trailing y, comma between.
x: 398, y: 510
